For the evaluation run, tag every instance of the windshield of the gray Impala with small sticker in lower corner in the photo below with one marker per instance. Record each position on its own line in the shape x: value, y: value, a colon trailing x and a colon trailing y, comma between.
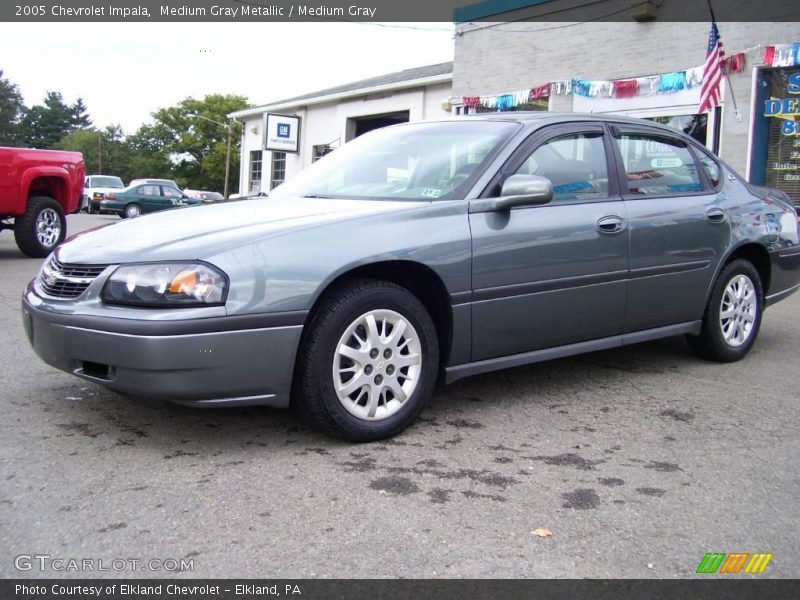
x: 422, y: 161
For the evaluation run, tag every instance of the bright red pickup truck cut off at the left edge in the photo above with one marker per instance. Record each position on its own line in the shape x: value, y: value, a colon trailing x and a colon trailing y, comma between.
x: 37, y: 189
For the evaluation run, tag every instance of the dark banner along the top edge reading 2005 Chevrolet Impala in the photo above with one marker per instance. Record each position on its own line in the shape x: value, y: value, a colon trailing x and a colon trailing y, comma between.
x: 458, y: 11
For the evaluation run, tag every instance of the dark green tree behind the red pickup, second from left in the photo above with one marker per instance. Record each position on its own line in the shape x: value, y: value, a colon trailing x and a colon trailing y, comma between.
x: 46, y: 124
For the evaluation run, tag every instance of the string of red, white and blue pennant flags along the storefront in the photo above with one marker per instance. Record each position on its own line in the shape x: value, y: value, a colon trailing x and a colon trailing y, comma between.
x: 781, y: 55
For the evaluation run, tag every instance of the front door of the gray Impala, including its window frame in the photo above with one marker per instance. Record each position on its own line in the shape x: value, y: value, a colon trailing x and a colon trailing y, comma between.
x: 554, y: 274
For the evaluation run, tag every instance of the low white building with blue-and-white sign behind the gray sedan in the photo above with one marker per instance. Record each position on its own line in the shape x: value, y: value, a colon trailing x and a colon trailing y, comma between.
x: 329, y: 118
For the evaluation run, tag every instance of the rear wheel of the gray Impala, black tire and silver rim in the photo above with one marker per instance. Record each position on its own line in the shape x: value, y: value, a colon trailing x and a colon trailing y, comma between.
x: 739, y: 292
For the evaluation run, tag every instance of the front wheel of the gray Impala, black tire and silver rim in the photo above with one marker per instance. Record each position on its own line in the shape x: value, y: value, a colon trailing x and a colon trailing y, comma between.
x: 385, y: 397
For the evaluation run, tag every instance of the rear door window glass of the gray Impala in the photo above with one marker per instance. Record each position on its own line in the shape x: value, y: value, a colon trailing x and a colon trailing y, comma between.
x: 657, y: 166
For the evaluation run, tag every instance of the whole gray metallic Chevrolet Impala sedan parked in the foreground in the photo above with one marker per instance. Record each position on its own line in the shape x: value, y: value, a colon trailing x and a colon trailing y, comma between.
x: 418, y: 252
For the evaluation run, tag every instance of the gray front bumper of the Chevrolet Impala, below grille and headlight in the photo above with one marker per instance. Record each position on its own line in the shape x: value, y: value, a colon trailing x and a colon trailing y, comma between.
x: 186, y: 362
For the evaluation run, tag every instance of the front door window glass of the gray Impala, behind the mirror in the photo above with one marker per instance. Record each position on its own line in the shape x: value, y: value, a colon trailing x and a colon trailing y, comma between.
x: 575, y: 164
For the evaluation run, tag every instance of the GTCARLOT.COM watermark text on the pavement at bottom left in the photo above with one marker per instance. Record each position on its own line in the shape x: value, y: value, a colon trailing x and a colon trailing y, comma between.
x: 57, y: 564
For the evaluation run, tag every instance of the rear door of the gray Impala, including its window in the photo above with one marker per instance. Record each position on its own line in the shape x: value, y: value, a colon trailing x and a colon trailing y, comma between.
x: 679, y: 229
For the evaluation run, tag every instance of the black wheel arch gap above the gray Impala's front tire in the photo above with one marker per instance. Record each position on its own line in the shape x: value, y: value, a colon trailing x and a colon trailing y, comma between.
x: 417, y: 278
